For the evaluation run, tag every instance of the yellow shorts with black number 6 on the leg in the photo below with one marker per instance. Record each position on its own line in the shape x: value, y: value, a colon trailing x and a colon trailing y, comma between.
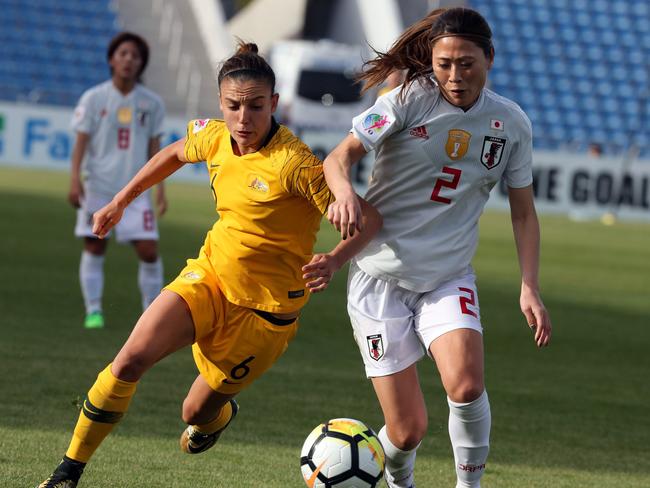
x: 233, y: 345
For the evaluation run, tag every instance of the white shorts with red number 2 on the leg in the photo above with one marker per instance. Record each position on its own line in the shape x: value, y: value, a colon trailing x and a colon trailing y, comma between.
x: 394, y: 327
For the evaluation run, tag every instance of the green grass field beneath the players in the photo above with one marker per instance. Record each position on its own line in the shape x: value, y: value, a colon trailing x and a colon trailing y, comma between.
x: 573, y: 415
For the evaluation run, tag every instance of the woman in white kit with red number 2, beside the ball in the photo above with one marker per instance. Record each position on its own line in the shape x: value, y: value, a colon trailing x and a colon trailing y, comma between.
x: 442, y: 142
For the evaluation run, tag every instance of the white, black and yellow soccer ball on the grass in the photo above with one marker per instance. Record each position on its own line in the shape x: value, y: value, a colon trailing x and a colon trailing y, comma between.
x: 342, y: 453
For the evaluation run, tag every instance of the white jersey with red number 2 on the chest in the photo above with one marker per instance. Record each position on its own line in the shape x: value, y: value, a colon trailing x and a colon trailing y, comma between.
x: 434, y: 168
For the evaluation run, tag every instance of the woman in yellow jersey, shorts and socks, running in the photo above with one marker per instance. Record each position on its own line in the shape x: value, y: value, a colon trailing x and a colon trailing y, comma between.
x: 238, y: 302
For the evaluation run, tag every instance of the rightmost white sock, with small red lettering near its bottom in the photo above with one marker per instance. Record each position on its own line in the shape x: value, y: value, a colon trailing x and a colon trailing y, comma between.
x: 469, y: 431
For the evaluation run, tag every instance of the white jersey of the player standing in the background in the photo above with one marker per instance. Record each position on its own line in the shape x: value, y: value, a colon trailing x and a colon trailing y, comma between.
x: 120, y: 128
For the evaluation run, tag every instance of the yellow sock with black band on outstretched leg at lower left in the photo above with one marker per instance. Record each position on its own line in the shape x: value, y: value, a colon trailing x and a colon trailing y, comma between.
x: 105, y: 405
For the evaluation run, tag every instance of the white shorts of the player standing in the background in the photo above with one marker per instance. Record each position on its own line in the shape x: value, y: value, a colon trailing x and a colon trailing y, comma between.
x: 138, y: 222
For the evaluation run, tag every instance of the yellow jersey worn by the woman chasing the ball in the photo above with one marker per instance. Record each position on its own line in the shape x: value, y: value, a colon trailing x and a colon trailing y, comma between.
x: 270, y: 205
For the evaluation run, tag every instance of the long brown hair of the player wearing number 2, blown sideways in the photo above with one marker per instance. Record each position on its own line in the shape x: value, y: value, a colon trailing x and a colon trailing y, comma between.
x: 411, y: 52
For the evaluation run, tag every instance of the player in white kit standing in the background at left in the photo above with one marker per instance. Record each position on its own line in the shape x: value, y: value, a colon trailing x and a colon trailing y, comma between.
x: 118, y: 125
